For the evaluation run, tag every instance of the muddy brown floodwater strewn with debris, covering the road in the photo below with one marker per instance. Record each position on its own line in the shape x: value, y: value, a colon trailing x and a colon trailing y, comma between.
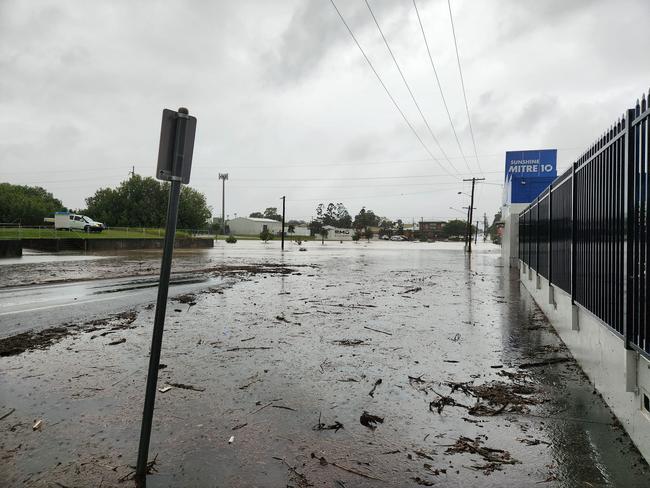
x: 348, y: 365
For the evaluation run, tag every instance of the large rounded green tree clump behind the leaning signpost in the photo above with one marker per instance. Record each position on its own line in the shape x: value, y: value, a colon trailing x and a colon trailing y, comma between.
x: 142, y: 202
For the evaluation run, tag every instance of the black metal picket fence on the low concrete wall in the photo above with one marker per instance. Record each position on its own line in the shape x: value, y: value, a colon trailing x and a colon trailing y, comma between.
x: 587, y: 233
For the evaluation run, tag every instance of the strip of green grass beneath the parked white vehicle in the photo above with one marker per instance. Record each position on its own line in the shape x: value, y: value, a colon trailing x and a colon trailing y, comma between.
x: 133, y: 233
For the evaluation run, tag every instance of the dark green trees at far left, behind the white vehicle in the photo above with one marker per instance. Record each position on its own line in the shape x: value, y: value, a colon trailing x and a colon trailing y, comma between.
x: 27, y: 205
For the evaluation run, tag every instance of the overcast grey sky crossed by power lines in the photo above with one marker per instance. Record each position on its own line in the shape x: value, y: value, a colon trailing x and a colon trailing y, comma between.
x: 287, y: 105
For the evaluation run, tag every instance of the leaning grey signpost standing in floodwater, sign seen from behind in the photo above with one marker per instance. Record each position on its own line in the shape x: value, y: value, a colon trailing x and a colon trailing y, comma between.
x: 174, y: 165
